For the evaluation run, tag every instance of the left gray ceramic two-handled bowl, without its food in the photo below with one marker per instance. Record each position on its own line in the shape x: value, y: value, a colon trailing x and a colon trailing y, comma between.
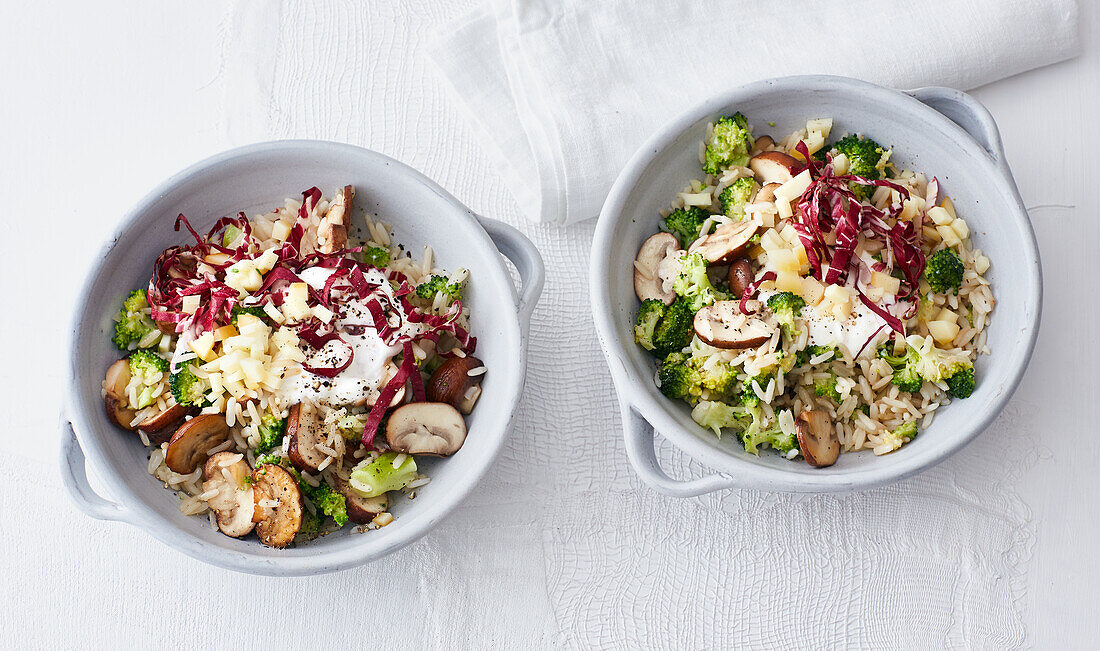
x: 256, y: 179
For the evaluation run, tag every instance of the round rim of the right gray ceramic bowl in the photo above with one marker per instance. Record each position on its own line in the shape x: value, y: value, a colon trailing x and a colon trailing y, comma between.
x: 739, y: 472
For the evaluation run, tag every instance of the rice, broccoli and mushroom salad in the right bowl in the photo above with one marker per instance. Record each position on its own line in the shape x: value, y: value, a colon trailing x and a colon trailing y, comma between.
x: 811, y: 296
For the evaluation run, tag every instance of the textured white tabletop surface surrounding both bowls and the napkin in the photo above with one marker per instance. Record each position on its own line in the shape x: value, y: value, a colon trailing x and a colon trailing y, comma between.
x: 562, y: 546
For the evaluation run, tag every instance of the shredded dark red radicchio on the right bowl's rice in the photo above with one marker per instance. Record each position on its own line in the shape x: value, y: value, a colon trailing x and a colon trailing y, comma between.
x: 830, y: 206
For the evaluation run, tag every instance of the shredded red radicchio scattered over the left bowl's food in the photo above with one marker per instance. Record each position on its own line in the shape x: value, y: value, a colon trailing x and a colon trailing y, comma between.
x: 188, y: 271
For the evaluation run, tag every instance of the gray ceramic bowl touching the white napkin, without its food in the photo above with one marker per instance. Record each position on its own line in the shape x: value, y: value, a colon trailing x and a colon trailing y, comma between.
x: 941, y: 131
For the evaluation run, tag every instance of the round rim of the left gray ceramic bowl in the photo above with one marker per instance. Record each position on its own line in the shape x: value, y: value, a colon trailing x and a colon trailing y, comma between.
x: 139, y: 514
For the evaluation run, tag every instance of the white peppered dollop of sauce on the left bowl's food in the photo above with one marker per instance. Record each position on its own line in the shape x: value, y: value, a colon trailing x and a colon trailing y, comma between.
x: 371, y: 356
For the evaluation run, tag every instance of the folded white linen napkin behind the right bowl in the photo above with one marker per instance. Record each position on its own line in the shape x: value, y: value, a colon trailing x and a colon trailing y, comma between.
x: 564, y: 92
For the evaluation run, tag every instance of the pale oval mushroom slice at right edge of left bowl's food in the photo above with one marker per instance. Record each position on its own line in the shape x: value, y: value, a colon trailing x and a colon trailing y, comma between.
x: 426, y: 428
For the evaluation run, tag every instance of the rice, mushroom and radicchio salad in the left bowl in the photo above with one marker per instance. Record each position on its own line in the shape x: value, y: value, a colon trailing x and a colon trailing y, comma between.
x: 288, y: 376
